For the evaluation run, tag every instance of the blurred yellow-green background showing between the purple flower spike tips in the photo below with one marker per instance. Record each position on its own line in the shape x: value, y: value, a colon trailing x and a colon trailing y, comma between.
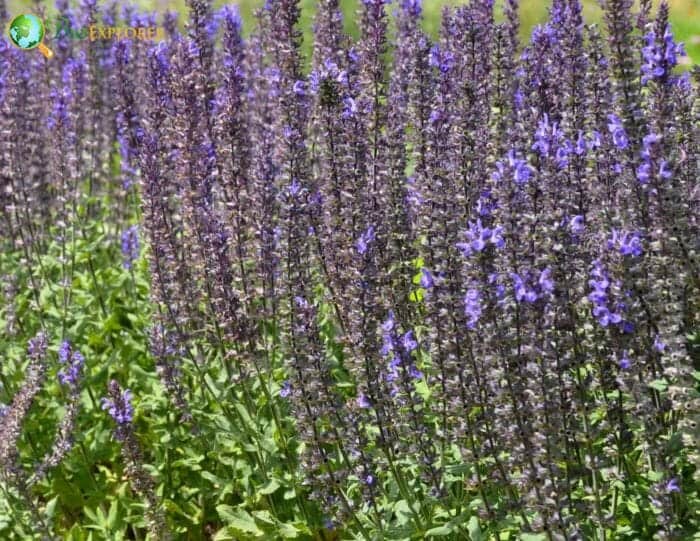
x: 685, y: 15
